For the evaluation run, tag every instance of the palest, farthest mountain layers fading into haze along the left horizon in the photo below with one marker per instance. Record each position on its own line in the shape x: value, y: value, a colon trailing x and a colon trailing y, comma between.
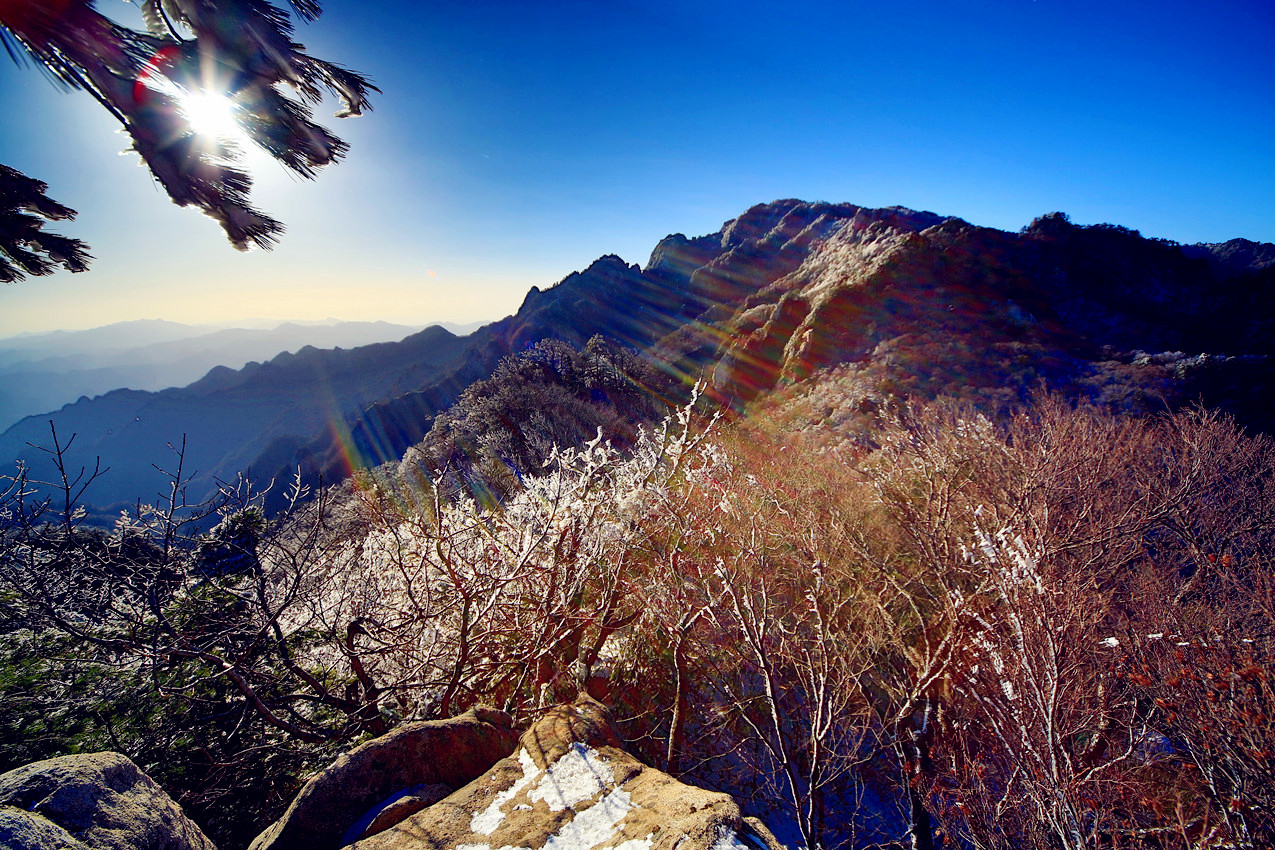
x: 41, y: 373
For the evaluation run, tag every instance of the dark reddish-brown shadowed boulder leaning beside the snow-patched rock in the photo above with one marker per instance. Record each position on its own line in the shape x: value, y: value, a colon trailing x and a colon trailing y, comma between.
x: 381, y: 774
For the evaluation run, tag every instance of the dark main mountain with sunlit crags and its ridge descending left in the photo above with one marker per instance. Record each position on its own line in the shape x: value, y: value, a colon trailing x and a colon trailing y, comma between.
x: 921, y: 304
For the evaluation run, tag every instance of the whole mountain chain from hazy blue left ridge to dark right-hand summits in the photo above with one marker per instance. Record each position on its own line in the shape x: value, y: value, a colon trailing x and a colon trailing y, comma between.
x: 912, y: 303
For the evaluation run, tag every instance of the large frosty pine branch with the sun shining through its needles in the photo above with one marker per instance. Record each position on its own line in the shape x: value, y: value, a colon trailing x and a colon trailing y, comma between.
x: 229, y: 55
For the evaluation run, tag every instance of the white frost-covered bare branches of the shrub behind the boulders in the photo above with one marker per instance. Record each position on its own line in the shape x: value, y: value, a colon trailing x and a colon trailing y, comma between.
x: 446, y: 598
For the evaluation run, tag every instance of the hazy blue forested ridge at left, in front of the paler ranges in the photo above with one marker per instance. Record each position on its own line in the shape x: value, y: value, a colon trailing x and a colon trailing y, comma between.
x: 228, y: 417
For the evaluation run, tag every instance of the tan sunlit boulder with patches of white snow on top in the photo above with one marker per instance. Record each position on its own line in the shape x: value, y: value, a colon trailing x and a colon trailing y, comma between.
x: 572, y: 787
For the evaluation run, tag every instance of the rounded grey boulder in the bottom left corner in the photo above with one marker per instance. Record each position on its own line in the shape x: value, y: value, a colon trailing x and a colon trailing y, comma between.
x: 96, y: 801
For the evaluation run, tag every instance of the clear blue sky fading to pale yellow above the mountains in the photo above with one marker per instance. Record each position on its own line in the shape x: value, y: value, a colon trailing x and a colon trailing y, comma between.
x: 514, y: 143
